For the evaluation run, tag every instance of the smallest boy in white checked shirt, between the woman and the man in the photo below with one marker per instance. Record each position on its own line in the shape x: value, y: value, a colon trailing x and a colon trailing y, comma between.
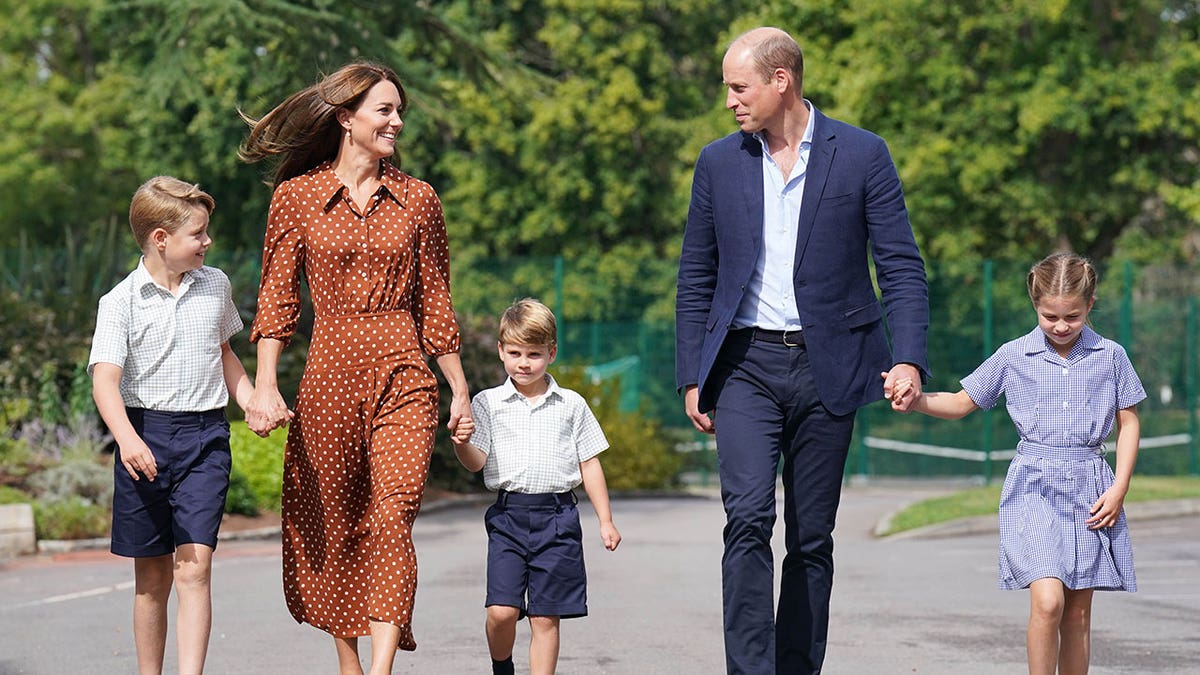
x: 536, y: 443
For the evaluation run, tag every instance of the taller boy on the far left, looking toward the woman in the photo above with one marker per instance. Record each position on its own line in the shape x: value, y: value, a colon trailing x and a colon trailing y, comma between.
x: 163, y: 372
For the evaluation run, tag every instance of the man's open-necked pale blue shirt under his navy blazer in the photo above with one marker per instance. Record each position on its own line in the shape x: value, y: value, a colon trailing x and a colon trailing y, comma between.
x: 770, y: 301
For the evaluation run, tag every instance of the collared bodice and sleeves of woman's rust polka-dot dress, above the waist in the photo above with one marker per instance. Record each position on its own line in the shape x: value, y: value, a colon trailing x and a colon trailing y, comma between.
x: 391, y: 256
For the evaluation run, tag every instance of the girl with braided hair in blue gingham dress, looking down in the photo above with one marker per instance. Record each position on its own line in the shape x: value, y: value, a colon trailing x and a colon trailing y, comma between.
x: 1063, y: 530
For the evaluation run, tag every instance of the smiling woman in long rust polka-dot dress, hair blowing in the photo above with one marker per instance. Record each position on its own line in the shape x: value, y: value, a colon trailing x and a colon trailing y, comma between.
x: 371, y: 243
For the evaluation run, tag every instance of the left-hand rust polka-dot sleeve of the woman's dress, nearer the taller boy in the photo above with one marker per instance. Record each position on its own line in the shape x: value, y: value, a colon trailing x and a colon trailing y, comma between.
x: 284, y: 252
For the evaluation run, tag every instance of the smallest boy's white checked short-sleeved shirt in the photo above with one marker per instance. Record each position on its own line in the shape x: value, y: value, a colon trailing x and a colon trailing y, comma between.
x: 535, y: 449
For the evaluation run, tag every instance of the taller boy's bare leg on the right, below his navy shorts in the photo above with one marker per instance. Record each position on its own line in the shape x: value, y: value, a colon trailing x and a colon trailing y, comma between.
x: 194, y: 622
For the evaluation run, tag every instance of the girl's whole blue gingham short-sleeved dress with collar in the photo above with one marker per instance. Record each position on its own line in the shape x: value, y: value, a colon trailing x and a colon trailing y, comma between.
x: 1064, y: 410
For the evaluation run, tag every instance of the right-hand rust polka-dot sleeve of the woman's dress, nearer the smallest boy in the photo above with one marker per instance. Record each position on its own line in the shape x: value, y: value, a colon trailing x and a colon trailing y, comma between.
x: 433, y: 309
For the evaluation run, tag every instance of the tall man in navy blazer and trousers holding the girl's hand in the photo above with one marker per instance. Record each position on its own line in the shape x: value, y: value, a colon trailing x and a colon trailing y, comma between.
x: 781, y: 336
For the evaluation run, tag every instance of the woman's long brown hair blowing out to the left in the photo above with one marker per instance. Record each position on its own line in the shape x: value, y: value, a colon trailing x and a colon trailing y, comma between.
x: 304, y: 130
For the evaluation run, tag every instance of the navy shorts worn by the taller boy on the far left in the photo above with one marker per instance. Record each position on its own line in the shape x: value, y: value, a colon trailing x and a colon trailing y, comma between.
x: 187, y: 500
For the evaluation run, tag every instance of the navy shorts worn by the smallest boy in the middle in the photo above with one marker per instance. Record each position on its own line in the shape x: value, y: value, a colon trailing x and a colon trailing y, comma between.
x: 536, y: 555
